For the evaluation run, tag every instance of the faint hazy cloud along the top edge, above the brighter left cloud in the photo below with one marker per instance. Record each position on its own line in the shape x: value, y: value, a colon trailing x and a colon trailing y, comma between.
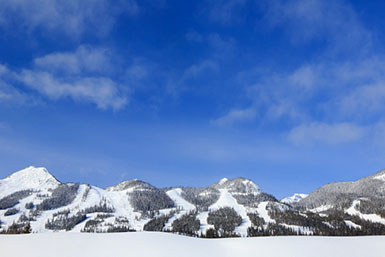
x: 70, y: 17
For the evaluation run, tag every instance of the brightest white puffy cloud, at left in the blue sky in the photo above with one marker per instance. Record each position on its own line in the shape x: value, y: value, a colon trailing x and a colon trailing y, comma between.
x: 83, y: 76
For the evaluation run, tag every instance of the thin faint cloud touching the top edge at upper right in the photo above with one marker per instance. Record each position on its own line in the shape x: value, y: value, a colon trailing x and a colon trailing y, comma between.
x: 306, y: 20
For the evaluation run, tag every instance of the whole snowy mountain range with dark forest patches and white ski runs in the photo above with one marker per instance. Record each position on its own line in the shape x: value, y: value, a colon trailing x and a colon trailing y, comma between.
x: 32, y: 197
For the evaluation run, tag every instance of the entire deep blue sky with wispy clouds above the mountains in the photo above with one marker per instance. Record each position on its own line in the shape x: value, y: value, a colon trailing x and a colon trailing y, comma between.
x: 290, y: 94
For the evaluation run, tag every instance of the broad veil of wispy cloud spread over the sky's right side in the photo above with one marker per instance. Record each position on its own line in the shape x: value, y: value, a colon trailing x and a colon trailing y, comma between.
x: 329, y: 99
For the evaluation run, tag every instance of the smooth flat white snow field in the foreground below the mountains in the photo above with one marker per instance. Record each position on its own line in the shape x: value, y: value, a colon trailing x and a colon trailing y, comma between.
x: 151, y: 244
